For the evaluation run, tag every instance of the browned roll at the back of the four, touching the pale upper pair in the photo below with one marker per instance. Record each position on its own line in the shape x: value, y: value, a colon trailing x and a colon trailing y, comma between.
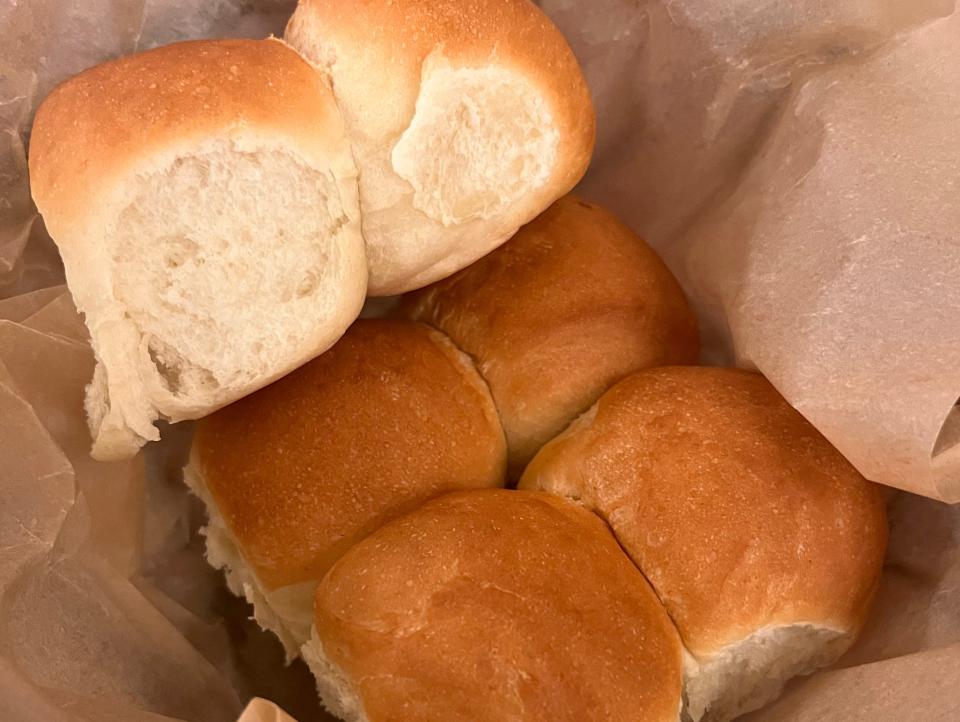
x: 573, y: 303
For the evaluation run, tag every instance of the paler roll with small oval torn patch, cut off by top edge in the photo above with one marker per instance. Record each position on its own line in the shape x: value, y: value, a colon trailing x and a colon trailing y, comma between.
x: 467, y: 117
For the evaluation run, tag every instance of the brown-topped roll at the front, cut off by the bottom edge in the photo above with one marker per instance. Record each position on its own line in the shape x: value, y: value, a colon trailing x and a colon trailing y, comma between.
x: 485, y: 606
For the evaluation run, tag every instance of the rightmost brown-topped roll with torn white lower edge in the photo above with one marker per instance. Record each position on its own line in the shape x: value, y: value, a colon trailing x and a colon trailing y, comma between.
x: 762, y: 541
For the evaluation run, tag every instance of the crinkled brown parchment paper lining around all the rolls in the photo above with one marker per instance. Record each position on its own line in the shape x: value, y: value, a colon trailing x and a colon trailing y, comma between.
x: 795, y: 161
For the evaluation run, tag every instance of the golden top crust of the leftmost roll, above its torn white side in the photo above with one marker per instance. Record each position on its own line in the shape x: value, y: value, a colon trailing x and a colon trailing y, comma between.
x: 97, y: 127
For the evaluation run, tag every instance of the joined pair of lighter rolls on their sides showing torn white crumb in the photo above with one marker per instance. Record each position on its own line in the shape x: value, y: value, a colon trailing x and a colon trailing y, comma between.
x: 222, y: 207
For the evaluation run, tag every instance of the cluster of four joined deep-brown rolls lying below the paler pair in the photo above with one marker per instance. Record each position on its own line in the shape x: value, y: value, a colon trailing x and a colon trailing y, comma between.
x: 684, y: 545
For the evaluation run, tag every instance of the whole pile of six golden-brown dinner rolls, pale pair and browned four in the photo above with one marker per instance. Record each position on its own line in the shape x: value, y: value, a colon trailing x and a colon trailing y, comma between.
x: 682, y: 541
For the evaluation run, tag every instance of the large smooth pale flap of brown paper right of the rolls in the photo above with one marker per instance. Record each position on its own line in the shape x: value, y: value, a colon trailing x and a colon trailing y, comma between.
x: 851, y: 302
